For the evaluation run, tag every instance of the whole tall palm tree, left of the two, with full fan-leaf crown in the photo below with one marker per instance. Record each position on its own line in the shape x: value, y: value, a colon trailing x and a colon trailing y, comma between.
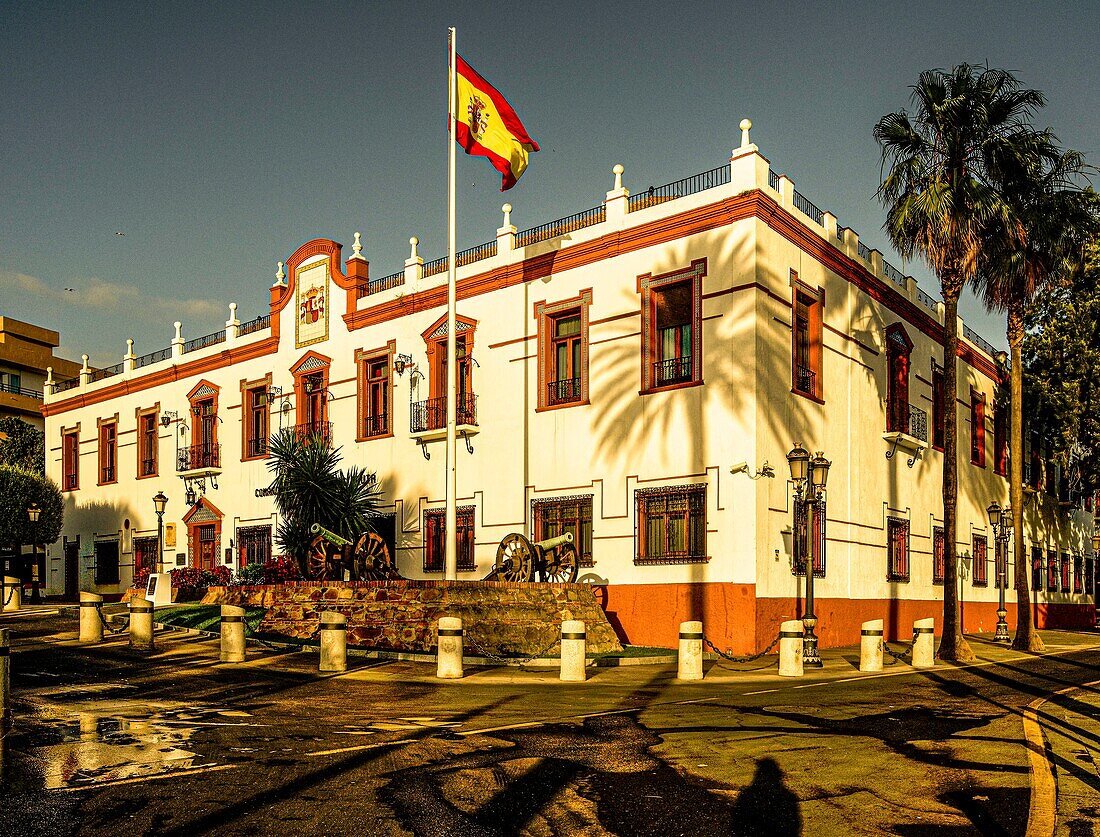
x: 943, y: 201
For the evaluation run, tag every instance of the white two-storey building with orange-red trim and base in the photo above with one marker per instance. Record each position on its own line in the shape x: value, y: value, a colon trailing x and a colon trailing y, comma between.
x: 615, y: 367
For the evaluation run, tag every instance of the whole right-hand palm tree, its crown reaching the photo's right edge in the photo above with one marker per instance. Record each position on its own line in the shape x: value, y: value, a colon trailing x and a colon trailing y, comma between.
x: 1058, y: 218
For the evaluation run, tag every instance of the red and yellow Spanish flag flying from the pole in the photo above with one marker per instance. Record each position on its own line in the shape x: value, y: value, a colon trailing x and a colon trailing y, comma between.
x: 487, y: 126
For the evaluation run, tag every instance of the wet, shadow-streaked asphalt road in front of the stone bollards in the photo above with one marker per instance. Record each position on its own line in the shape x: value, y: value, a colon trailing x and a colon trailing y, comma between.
x: 108, y: 741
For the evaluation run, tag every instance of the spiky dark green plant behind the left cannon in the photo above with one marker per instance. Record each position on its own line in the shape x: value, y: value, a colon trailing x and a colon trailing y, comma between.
x: 311, y: 489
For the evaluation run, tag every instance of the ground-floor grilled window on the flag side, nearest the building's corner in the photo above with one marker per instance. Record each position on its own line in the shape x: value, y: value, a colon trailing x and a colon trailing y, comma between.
x: 672, y: 525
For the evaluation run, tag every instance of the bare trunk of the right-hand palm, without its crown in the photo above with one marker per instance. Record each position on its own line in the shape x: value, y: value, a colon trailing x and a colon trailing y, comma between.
x: 1027, y: 640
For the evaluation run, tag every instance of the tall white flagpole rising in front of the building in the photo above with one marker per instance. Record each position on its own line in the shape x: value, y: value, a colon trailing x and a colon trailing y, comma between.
x: 452, y: 560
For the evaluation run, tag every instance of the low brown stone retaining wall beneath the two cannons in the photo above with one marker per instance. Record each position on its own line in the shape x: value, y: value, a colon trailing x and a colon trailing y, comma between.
x: 500, y: 618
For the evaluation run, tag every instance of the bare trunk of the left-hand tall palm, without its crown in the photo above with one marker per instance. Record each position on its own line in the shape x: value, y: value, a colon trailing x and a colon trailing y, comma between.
x: 953, y: 646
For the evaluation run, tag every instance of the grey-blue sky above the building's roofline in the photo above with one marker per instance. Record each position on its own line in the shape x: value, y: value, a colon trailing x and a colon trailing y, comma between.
x: 218, y: 138
